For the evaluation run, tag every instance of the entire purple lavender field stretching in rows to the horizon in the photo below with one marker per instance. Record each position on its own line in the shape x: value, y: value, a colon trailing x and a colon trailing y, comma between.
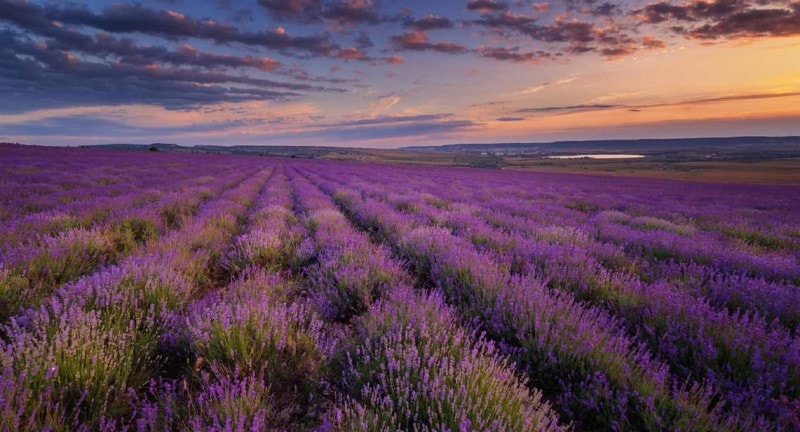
x: 152, y: 291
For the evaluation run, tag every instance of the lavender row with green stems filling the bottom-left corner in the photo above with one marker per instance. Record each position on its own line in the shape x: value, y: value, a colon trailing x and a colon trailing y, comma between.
x: 78, y: 361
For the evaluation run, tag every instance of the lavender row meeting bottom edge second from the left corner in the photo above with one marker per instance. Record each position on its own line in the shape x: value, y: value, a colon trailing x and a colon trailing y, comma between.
x: 255, y: 350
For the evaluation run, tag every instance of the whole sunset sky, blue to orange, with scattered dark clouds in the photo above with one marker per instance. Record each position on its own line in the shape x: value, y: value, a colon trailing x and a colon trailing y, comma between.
x: 386, y: 74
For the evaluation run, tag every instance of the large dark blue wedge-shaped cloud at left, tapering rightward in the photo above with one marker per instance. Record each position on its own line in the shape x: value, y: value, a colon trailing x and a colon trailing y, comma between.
x: 38, y: 76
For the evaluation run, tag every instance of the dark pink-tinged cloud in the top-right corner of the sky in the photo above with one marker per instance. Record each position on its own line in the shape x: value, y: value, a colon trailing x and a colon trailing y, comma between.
x: 725, y: 18
